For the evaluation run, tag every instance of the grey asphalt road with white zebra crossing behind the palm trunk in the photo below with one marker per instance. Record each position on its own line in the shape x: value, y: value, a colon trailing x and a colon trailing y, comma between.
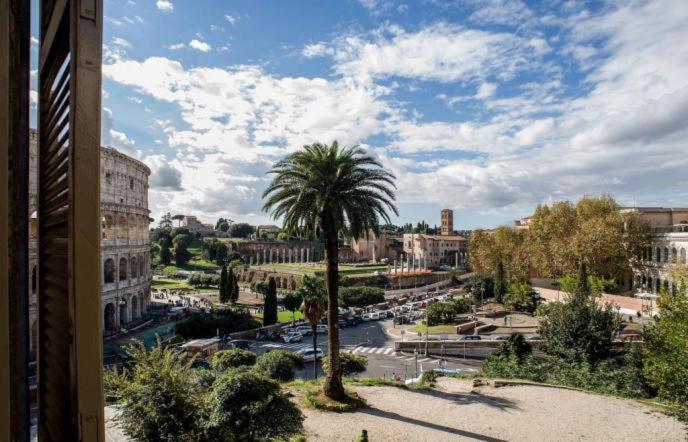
x: 383, y: 361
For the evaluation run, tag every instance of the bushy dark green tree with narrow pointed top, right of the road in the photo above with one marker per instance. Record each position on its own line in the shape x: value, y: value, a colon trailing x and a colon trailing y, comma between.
x: 580, y: 329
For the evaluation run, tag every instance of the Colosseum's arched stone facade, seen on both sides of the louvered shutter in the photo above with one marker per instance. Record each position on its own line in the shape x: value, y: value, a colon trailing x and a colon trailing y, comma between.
x: 125, y: 249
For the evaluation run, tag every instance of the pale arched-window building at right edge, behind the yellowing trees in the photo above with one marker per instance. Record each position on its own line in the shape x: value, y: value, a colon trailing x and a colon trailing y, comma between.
x: 669, y: 247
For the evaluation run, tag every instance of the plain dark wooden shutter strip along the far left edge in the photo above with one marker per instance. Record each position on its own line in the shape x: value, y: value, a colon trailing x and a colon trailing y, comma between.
x: 14, y: 164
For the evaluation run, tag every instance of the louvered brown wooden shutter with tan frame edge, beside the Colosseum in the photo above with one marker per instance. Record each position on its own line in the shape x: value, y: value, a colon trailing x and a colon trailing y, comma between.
x: 69, y: 315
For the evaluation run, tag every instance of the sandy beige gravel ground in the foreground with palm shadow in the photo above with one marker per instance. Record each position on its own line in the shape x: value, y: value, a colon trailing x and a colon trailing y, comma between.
x: 523, y: 413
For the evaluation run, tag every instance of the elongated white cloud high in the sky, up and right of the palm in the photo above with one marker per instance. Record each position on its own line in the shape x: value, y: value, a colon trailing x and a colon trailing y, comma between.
x: 442, y: 52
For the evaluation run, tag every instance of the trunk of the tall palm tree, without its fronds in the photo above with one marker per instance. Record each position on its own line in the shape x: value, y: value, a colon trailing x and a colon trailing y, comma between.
x: 333, y: 387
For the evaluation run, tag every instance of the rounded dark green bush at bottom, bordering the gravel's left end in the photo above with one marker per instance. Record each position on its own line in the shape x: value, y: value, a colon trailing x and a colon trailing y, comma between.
x: 247, y: 406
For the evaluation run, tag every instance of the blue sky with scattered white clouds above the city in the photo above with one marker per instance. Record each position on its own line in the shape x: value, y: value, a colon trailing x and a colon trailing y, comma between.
x: 485, y: 107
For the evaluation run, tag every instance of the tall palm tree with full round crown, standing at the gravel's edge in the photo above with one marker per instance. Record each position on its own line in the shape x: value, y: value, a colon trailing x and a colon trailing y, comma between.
x: 331, y: 190
